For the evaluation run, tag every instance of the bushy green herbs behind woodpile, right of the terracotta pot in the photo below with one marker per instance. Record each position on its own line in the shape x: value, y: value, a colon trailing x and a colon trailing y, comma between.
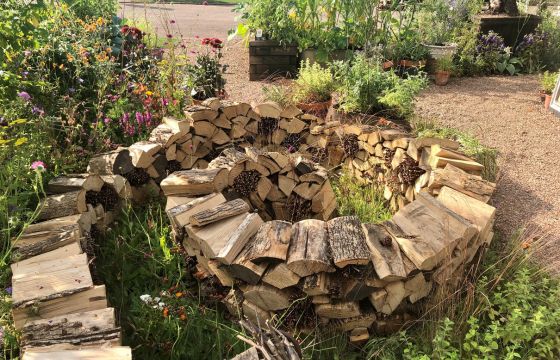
x: 366, y: 88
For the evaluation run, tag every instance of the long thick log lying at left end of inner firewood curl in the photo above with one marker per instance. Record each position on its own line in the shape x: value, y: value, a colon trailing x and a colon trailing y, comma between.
x: 195, y: 182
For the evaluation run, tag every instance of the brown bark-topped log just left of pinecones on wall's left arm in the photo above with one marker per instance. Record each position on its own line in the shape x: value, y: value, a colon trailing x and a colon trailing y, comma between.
x: 66, y: 204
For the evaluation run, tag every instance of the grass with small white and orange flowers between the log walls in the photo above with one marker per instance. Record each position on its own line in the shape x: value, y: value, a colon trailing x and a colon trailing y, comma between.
x: 148, y: 280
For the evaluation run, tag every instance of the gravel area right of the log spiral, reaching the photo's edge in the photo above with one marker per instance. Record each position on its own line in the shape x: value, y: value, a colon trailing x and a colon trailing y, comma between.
x: 505, y: 113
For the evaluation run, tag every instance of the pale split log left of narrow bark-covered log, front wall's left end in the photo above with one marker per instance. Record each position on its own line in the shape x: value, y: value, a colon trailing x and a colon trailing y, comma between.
x: 180, y: 215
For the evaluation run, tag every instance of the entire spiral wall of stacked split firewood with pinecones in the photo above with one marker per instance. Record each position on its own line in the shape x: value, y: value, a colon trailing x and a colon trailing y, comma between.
x: 249, y: 196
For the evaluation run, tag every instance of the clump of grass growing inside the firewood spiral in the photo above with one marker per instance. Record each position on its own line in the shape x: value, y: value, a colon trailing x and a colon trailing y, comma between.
x: 364, y: 201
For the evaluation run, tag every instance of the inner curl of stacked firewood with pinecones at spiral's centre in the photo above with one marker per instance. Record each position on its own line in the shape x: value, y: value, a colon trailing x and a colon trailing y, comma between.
x: 277, y: 186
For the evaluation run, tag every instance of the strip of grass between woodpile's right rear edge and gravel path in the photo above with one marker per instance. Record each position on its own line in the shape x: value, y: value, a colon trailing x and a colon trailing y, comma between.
x: 469, y: 144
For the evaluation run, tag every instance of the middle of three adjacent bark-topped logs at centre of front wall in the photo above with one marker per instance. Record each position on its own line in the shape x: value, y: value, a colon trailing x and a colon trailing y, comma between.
x: 309, y: 252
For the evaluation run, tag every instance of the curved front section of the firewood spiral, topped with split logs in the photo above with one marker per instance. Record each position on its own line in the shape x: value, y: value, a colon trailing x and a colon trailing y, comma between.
x: 358, y: 278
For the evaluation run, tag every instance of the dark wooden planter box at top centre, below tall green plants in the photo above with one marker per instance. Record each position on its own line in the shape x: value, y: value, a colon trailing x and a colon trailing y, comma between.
x: 268, y: 59
